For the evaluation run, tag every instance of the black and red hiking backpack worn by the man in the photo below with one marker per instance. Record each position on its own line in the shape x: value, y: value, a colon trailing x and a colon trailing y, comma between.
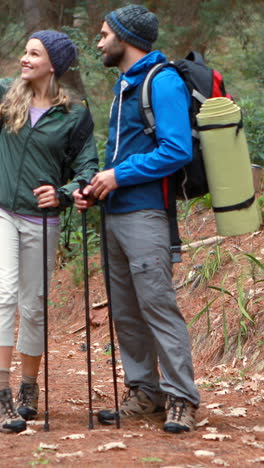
x: 202, y: 82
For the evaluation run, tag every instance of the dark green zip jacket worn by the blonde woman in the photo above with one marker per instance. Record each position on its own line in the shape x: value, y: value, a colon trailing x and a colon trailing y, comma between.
x: 59, y: 140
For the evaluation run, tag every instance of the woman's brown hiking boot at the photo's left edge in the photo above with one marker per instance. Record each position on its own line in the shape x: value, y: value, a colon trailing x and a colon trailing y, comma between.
x: 10, y: 421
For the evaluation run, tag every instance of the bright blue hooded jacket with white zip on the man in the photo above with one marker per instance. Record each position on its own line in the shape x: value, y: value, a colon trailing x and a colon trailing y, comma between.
x: 140, y: 162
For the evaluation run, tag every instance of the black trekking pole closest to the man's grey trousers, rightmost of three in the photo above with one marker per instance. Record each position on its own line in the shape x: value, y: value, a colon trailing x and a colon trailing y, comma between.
x: 110, y: 314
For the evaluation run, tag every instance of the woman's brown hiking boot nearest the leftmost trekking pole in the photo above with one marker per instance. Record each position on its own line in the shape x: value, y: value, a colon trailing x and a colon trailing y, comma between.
x: 27, y: 401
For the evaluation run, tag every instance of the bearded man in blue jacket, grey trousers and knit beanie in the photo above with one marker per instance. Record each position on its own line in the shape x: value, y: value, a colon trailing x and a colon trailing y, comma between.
x: 149, y: 325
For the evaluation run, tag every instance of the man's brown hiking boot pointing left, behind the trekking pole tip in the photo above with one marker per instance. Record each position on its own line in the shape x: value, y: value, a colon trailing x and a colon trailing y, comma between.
x: 135, y: 403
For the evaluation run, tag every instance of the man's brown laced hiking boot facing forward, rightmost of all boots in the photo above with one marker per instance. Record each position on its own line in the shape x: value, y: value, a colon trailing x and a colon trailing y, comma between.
x: 180, y: 415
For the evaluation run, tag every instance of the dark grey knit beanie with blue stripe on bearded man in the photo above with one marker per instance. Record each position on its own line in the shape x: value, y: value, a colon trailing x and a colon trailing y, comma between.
x: 134, y: 24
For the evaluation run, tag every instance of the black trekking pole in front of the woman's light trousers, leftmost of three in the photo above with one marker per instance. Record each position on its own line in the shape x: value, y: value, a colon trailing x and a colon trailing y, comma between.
x: 45, y: 311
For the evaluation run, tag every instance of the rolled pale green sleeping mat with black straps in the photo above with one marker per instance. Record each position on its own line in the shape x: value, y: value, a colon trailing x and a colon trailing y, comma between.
x: 228, y: 167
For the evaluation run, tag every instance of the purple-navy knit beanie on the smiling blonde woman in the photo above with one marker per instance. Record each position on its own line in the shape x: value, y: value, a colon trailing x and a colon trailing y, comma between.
x: 62, y: 51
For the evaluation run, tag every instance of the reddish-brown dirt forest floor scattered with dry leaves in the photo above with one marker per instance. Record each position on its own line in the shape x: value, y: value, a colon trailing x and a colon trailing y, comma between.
x: 230, y: 420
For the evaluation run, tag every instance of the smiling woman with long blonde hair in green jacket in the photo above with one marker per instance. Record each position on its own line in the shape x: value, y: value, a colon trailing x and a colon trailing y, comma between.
x: 42, y: 130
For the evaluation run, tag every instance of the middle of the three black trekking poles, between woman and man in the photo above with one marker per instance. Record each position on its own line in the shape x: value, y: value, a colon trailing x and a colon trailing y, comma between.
x: 82, y: 184
